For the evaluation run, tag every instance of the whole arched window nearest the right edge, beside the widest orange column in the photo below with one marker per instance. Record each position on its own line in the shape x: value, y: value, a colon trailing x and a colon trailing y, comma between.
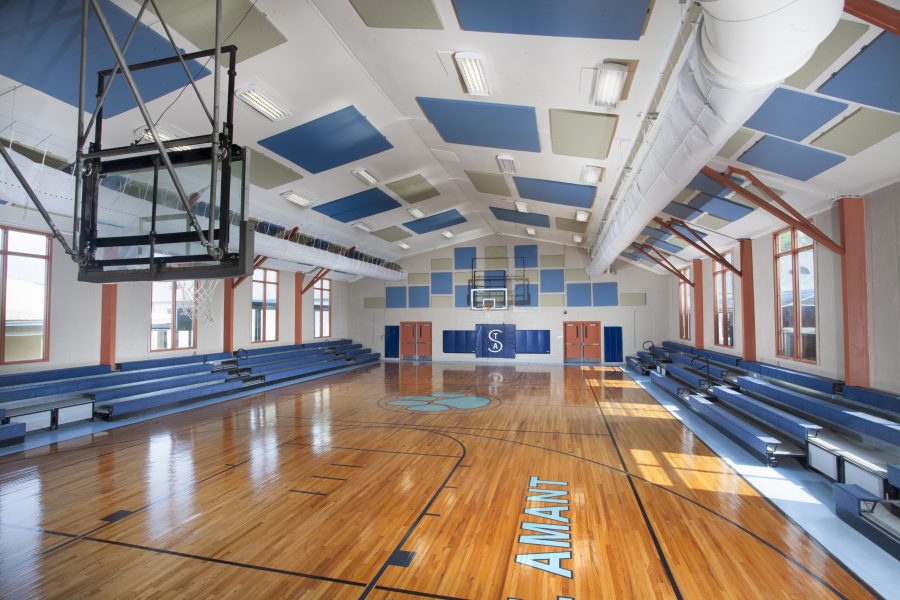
x: 795, y: 285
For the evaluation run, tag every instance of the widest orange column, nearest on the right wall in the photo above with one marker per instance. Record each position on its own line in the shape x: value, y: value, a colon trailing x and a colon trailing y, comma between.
x: 855, y: 291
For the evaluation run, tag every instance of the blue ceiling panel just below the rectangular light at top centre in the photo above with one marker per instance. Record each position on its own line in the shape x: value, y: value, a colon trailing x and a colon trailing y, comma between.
x: 483, y: 123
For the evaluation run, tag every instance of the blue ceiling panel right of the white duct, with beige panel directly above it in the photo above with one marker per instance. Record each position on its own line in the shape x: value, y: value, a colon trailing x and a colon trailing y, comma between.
x: 793, y: 115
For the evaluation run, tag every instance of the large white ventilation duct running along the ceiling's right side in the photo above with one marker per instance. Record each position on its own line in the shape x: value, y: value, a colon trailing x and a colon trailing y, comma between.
x: 744, y: 49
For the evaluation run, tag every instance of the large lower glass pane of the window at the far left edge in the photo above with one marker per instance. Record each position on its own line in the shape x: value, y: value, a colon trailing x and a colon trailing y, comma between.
x: 26, y: 281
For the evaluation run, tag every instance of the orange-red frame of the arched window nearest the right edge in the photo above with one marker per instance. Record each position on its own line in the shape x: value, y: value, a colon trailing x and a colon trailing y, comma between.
x: 794, y: 252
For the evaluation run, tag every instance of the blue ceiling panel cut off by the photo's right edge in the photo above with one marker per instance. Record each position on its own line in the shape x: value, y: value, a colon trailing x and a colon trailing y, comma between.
x: 867, y: 78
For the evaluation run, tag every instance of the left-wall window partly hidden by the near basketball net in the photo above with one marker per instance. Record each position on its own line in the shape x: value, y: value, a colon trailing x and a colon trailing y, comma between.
x: 171, y: 327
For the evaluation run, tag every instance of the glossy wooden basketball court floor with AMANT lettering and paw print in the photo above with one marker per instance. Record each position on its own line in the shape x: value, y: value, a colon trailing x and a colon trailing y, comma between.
x: 326, y: 490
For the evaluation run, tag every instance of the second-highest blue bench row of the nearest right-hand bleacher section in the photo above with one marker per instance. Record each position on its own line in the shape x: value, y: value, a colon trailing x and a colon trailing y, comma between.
x: 853, y: 420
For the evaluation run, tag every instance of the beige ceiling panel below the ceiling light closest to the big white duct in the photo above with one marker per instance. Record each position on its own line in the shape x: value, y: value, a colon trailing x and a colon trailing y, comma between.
x: 584, y: 134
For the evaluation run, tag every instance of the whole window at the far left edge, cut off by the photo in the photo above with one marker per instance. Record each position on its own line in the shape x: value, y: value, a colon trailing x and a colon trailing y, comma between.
x: 24, y: 296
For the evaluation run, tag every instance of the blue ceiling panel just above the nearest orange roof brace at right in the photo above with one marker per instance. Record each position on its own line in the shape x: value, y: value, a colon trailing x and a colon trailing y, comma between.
x: 789, y: 158
